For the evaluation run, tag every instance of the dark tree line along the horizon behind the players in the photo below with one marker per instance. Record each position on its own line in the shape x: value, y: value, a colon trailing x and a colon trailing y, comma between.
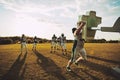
x: 16, y: 39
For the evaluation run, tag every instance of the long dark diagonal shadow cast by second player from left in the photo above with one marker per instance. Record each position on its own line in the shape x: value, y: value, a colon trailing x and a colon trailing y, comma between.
x: 49, y: 66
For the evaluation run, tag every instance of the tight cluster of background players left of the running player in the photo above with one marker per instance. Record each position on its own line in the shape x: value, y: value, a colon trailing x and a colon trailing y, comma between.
x: 58, y: 43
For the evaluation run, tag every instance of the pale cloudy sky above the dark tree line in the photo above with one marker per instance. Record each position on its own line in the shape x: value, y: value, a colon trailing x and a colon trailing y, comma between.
x: 43, y: 18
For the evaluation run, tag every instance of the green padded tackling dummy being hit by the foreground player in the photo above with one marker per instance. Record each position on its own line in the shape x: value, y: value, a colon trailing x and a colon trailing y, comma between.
x: 92, y: 21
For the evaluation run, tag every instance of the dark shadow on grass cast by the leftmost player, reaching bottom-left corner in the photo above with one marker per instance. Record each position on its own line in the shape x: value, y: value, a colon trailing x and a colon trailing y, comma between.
x: 14, y: 71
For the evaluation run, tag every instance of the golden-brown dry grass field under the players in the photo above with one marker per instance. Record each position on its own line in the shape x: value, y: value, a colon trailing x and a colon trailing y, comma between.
x: 43, y: 65
